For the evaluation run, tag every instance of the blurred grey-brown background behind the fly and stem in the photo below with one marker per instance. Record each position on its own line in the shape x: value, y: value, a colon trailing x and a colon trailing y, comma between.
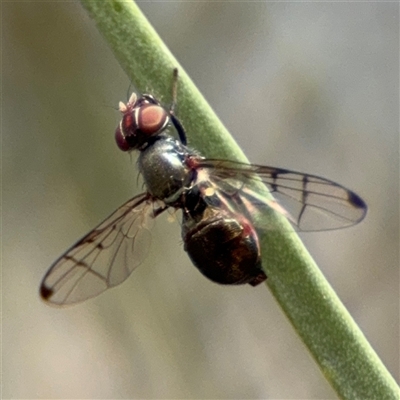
x: 311, y: 87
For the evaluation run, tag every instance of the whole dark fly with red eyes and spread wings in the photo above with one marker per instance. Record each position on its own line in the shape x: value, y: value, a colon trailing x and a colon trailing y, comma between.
x: 220, y: 210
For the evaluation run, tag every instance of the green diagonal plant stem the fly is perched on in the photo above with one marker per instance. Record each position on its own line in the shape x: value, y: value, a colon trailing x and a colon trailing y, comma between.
x: 342, y: 352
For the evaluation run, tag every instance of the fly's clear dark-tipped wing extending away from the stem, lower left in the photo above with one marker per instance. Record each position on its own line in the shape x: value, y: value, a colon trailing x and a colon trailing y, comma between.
x: 105, y: 257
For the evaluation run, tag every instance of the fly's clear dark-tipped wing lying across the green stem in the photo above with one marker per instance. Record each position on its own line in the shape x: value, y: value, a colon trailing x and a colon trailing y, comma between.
x: 311, y: 203
